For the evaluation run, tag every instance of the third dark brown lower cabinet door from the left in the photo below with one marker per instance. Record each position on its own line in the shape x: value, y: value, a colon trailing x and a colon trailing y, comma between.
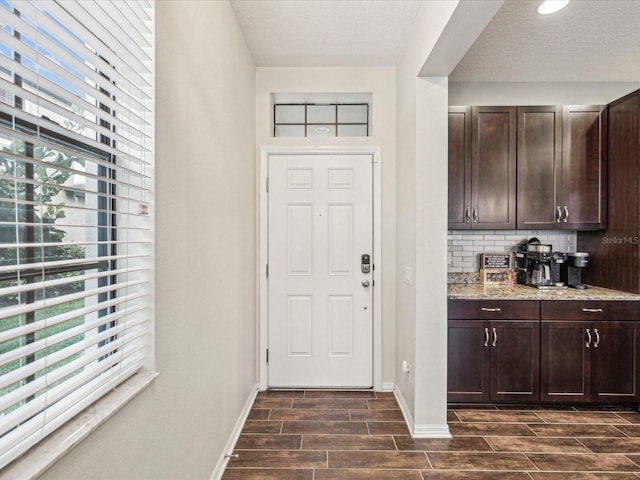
x: 565, y: 369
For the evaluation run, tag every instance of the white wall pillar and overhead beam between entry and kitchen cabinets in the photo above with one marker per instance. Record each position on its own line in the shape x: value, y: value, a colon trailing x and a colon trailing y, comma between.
x: 442, y: 33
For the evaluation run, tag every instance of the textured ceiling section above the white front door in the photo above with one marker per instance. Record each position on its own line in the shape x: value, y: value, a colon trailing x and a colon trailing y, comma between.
x: 326, y: 32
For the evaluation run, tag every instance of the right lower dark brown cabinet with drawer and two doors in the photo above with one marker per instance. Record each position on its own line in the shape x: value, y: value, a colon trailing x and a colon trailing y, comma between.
x: 590, y: 361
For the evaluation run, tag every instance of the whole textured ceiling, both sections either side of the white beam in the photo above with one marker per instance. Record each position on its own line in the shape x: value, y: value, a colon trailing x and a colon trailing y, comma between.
x: 588, y: 41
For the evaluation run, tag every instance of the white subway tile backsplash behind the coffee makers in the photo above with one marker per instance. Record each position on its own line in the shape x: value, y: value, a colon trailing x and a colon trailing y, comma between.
x: 465, y: 247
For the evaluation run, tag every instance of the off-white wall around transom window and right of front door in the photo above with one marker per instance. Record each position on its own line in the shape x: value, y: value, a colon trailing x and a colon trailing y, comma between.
x: 380, y: 82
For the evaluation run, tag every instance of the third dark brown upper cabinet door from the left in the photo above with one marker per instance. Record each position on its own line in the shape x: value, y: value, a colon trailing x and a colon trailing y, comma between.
x: 539, y: 167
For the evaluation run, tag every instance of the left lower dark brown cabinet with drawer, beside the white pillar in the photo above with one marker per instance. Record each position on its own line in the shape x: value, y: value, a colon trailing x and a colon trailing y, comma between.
x: 493, y: 360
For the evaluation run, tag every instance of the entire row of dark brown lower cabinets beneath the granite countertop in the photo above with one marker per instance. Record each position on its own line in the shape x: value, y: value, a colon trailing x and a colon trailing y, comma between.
x: 553, y: 351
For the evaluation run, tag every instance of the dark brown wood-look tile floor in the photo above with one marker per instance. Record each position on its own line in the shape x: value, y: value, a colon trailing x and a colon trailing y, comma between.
x: 353, y: 435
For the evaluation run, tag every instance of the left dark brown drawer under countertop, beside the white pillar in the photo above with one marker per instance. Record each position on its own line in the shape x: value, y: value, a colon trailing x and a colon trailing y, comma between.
x: 494, y: 309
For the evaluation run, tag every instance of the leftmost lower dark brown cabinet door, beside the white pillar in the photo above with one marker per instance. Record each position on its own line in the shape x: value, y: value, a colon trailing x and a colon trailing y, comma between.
x: 468, y: 361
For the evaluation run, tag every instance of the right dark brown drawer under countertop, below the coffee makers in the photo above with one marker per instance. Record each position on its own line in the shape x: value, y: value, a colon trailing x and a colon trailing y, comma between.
x: 589, y: 310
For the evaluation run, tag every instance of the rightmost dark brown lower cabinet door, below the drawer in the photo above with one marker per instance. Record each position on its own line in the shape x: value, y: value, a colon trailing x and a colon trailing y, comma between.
x: 614, y: 354
